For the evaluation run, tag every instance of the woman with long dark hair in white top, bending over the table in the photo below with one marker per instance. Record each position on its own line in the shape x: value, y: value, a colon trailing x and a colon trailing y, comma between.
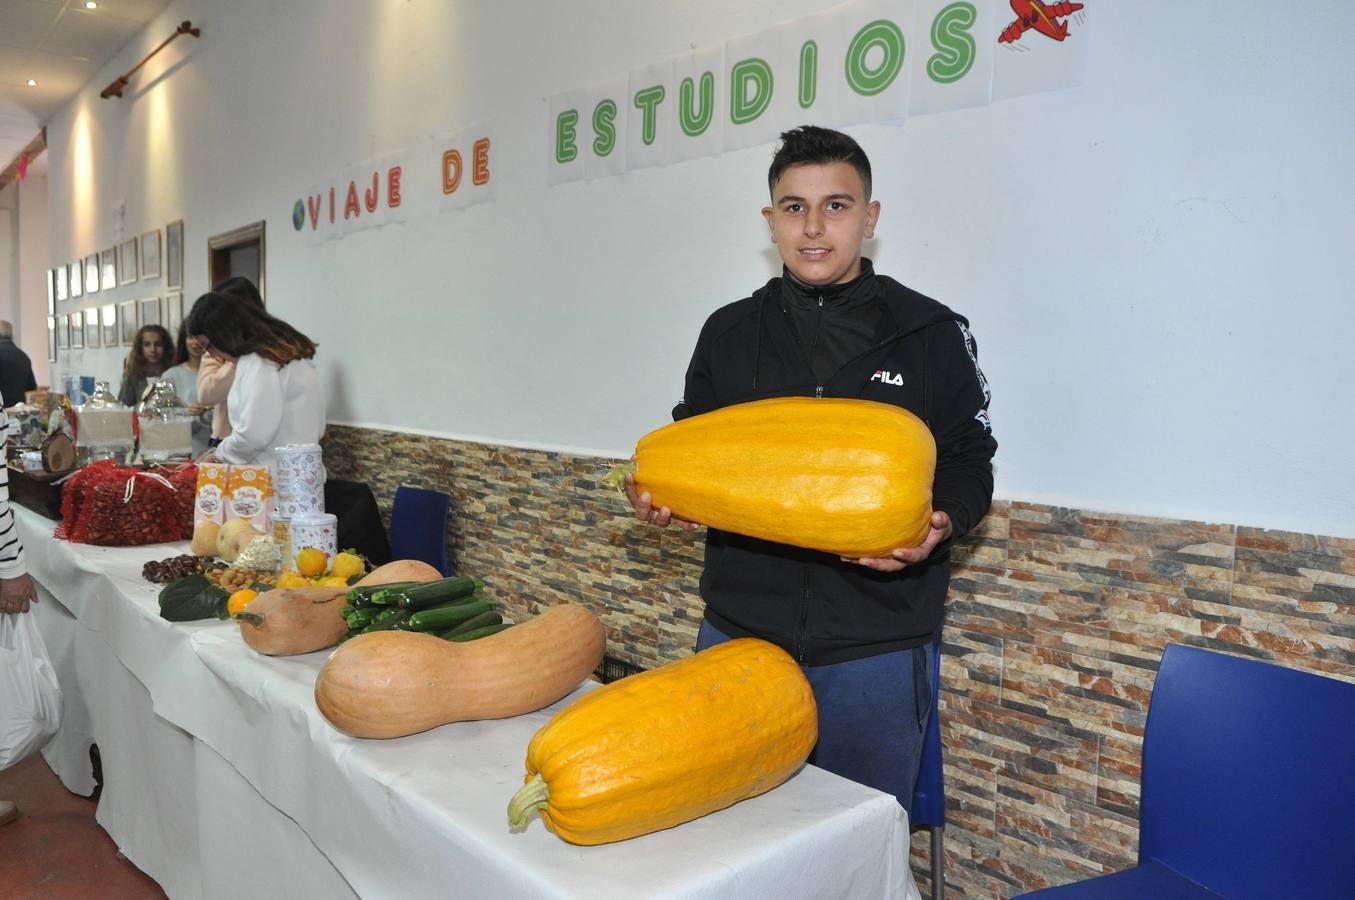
x: 276, y: 398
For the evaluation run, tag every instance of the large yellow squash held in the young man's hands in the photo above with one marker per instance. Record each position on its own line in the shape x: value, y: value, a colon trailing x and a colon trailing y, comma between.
x: 852, y: 478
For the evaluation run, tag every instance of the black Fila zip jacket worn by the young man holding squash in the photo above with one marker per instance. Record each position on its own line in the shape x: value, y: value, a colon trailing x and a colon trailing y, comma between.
x: 923, y: 359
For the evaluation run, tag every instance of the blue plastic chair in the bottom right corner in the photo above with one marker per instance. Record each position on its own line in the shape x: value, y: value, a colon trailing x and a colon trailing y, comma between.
x: 1249, y: 785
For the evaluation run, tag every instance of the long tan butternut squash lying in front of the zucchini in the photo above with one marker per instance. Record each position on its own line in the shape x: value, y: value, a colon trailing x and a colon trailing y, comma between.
x: 395, y: 684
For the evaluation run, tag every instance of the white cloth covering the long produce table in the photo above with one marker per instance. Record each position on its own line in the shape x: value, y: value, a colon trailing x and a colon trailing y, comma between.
x: 222, y: 779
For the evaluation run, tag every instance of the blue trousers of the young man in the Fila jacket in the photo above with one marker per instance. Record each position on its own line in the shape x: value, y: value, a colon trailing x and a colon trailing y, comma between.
x: 872, y: 716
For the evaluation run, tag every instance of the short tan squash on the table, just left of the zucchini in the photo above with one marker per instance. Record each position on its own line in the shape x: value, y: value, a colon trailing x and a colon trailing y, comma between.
x: 293, y: 620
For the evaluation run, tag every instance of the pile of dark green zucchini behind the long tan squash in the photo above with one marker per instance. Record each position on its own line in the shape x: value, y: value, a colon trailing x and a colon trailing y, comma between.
x: 455, y: 609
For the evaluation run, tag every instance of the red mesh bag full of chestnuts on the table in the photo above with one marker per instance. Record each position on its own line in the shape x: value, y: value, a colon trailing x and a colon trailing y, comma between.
x: 114, y: 506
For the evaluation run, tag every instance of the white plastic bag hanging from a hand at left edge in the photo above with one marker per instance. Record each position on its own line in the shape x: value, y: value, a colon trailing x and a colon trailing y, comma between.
x: 30, y: 697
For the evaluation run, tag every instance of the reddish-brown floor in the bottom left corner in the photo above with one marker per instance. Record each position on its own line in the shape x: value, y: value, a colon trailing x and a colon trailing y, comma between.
x: 56, y: 851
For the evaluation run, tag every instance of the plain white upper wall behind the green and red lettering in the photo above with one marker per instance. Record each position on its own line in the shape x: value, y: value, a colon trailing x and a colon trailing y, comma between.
x: 1156, y: 265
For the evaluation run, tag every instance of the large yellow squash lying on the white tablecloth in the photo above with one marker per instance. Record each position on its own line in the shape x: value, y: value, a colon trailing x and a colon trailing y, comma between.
x: 671, y: 745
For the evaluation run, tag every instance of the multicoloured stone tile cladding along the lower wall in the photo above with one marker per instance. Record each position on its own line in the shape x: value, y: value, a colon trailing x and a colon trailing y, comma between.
x: 1056, y: 624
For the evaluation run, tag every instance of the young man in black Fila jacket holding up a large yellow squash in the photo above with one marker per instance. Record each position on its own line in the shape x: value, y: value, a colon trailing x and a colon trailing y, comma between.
x: 830, y: 327
